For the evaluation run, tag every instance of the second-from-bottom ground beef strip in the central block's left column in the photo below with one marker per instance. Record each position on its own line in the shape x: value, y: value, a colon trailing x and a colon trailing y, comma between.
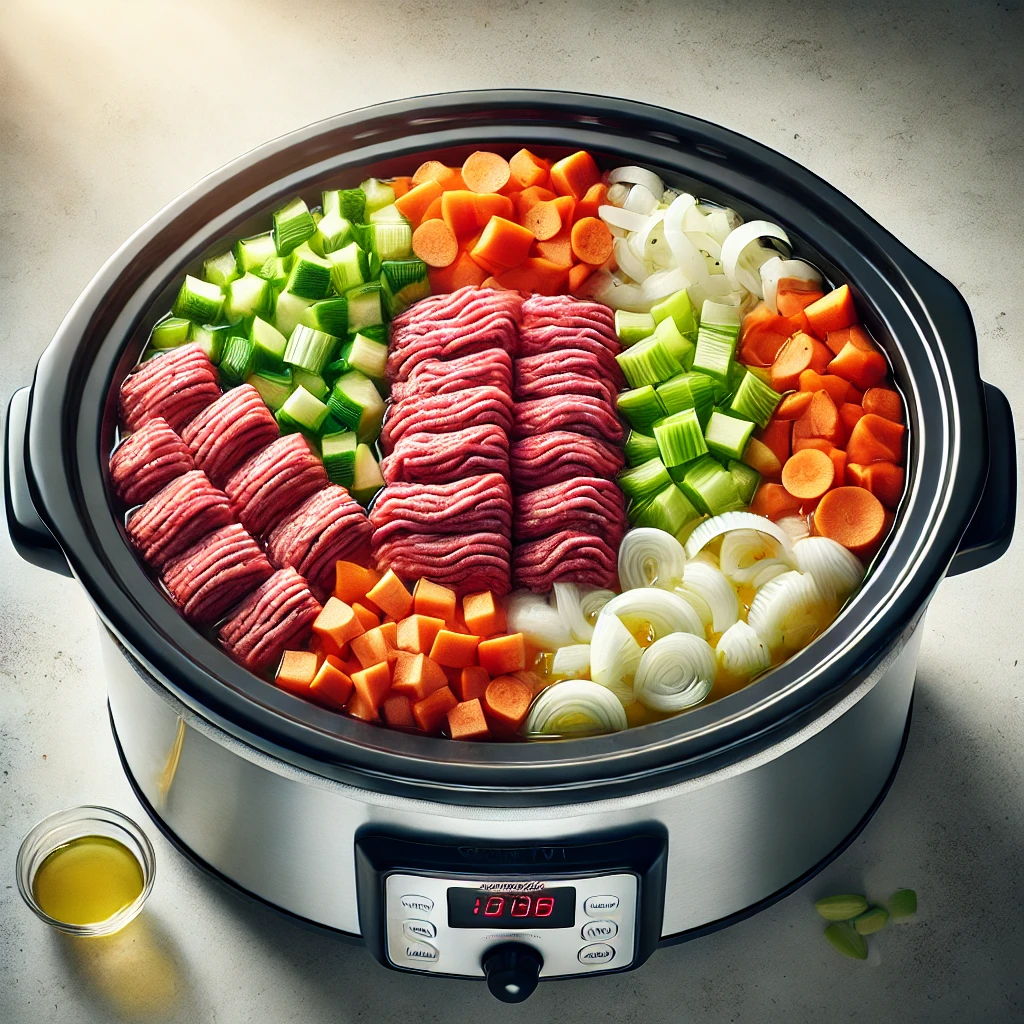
x: 479, y: 504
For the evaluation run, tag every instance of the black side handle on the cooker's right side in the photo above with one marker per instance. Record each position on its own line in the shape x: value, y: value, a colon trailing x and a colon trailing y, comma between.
x: 992, y: 530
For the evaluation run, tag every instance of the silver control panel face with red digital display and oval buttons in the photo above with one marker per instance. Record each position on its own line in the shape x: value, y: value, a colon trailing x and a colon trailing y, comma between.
x: 446, y: 925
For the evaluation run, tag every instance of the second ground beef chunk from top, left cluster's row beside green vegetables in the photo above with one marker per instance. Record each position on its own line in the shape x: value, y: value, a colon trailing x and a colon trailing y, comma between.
x: 231, y: 431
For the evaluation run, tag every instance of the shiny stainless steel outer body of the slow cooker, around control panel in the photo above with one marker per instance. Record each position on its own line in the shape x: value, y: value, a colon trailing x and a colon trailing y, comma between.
x: 736, y: 838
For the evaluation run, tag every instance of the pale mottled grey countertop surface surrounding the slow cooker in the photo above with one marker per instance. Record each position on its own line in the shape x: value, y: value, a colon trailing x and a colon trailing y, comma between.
x: 915, y: 111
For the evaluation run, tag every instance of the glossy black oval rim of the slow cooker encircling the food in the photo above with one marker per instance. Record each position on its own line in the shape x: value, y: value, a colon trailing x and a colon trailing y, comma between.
x: 933, y: 347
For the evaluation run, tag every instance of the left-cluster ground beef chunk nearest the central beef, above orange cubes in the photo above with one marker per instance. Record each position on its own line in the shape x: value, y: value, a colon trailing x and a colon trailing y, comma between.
x: 327, y: 528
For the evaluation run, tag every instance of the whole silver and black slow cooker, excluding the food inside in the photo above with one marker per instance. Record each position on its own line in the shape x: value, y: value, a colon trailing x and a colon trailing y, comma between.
x: 651, y: 836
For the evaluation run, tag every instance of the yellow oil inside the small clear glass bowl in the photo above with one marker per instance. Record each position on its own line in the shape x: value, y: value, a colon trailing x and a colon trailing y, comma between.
x: 88, y: 881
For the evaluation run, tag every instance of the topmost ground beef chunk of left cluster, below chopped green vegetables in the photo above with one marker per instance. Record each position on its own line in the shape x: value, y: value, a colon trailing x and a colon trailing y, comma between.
x: 176, y: 387
